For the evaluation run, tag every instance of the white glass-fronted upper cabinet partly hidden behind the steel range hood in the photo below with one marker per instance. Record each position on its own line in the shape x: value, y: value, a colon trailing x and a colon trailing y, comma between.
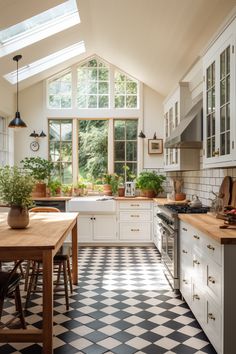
x: 176, y: 107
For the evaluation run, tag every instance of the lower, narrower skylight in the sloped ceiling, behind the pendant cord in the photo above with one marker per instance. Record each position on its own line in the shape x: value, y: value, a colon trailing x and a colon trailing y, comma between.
x: 47, y: 62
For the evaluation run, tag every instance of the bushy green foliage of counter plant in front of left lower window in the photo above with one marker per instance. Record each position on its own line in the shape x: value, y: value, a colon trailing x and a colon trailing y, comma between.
x: 38, y: 167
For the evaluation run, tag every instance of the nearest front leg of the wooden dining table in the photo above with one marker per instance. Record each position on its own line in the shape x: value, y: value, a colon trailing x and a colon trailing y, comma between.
x: 47, y: 302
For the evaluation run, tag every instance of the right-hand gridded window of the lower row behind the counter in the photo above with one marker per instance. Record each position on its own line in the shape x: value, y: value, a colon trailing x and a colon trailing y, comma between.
x: 125, y: 146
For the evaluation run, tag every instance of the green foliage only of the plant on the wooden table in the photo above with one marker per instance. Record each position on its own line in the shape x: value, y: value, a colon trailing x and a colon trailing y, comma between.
x: 16, y: 186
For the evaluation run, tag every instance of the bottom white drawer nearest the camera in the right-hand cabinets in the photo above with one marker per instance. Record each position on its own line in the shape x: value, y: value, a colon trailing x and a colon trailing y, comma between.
x: 213, y: 325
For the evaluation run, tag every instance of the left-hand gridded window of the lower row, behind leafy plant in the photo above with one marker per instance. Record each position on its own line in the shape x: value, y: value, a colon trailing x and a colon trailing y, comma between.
x: 60, y: 149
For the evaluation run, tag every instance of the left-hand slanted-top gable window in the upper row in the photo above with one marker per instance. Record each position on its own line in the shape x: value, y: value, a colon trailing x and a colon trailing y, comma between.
x: 59, y: 91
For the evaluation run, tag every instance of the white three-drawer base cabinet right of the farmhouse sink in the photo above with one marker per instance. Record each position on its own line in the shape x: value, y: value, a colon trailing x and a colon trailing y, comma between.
x: 135, y: 221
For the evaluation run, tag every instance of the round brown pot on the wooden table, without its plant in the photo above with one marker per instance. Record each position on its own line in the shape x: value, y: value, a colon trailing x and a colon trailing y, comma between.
x: 18, y: 217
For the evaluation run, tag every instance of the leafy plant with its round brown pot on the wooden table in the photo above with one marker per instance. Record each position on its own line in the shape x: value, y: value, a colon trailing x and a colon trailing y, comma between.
x: 16, y: 187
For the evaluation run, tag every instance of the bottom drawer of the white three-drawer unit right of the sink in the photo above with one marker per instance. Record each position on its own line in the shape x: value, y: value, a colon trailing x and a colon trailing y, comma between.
x: 135, y: 231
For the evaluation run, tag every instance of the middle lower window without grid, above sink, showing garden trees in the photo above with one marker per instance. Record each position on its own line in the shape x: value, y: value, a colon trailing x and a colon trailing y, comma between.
x: 93, y: 148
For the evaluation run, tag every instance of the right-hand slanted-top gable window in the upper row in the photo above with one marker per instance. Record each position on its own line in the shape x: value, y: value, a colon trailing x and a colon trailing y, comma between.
x: 126, y: 91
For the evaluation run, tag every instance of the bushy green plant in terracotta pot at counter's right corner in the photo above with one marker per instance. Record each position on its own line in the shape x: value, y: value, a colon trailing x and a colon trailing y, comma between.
x: 150, y: 183
